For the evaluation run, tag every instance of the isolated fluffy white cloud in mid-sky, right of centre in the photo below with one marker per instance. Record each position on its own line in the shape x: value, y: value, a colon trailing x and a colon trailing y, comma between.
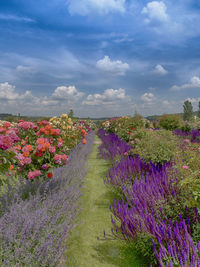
x: 112, y: 67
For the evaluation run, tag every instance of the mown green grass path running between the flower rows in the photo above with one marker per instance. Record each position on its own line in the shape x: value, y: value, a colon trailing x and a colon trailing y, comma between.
x: 84, y: 250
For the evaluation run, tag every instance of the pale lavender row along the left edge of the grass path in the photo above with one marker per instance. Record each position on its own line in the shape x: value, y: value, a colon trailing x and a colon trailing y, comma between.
x: 33, y: 230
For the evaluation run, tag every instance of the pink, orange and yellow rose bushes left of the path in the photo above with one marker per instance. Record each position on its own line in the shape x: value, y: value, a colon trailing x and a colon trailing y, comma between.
x: 33, y: 149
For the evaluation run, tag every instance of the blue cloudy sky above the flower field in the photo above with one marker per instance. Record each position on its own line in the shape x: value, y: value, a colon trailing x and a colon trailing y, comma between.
x: 99, y: 57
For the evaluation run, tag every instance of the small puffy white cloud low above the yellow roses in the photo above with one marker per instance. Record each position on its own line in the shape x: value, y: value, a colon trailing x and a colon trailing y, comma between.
x: 67, y: 93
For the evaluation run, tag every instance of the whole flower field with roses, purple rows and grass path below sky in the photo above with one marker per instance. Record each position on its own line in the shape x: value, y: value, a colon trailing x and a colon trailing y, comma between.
x: 123, y: 192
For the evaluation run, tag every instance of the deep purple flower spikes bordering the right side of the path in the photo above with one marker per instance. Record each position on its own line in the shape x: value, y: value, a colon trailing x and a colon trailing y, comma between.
x: 151, y: 212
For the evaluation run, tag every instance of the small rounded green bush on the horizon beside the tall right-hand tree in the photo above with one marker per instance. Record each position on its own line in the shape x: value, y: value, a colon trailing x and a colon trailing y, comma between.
x: 170, y: 122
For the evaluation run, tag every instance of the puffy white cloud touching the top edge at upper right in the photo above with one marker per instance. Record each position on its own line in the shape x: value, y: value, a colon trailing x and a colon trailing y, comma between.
x: 155, y: 12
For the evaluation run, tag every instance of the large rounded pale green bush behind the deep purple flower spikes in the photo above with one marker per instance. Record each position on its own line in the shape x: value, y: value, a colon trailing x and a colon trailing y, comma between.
x: 156, y: 146
